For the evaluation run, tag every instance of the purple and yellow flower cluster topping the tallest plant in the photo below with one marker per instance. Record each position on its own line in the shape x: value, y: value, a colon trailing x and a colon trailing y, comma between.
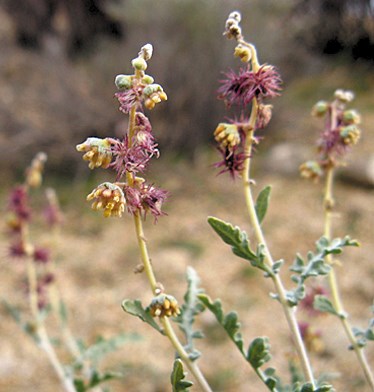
x: 248, y: 87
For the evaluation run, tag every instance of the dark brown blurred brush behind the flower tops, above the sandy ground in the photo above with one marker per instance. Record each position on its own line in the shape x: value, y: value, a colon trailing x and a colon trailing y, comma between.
x: 59, y: 59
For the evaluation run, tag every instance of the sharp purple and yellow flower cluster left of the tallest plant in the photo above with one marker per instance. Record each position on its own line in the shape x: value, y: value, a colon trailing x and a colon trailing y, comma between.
x: 130, y: 155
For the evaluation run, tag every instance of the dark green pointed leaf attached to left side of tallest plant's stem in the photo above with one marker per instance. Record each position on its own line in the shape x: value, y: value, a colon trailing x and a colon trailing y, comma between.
x: 239, y: 242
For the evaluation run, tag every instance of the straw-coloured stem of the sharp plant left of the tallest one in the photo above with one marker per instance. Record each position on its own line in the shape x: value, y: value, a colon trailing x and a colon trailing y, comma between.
x: 168, y: 329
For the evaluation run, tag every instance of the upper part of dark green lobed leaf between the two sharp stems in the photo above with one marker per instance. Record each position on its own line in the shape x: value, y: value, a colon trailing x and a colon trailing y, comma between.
x: 229, y: 322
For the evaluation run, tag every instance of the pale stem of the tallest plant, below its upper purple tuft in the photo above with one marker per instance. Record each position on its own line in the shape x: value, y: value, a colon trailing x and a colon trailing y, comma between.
x: 289, y: 313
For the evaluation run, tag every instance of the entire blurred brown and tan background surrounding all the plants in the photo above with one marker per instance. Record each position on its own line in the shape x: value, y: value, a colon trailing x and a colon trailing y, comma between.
x: 57, y: 67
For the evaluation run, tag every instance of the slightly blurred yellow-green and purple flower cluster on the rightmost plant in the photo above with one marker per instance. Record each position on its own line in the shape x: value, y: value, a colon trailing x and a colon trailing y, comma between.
x: 340, y: 133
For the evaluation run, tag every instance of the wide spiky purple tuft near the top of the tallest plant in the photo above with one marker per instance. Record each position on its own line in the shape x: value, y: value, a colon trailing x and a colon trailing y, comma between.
x: 241, y: 88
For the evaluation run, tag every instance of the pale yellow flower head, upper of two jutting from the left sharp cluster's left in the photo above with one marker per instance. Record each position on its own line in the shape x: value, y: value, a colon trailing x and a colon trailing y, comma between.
x: 97, y: 152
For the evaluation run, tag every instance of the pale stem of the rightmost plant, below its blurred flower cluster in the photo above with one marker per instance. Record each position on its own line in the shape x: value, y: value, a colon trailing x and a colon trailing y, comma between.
x: 333, y: 283
